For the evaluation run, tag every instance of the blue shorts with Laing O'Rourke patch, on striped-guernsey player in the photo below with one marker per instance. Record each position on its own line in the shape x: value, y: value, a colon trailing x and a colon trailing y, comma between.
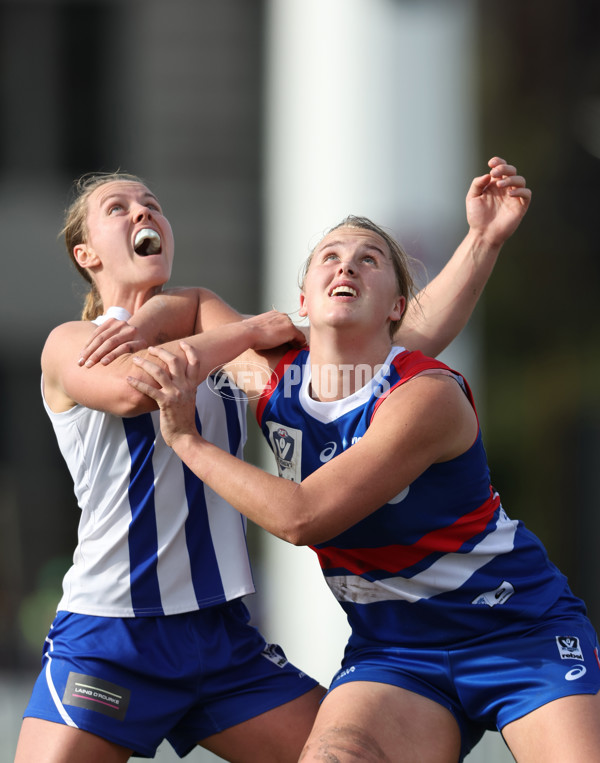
x: 137, y: 681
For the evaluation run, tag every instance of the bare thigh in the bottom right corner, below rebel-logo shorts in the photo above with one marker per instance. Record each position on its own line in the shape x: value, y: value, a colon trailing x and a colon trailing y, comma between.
x: 566, y: 730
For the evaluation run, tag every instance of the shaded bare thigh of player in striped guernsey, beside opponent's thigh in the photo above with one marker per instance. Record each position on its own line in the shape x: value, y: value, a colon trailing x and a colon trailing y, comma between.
x: 277, y: 735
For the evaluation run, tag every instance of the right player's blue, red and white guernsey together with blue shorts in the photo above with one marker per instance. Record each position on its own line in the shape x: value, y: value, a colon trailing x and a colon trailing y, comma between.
x: 439, y: 585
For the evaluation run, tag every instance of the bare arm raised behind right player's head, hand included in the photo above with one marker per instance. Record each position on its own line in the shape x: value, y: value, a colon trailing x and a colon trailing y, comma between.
x: 496, y: 203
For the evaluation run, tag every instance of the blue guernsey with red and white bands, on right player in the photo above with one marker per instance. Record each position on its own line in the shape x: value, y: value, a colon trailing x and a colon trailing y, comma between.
x: 441, y: 564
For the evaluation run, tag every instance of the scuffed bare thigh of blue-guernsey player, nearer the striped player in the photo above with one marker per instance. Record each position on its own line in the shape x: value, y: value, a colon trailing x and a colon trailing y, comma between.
x: 381, y: 723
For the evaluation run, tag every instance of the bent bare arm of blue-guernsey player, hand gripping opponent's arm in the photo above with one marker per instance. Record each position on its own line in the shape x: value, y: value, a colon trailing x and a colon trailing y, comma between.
x: 424, y: 421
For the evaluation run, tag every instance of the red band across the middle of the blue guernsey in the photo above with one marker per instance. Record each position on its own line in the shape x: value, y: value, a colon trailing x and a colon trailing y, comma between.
x: 398, y: 557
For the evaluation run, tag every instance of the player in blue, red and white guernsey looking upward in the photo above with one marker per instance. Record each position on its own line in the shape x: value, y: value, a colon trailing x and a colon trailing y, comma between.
x: 459, y: 622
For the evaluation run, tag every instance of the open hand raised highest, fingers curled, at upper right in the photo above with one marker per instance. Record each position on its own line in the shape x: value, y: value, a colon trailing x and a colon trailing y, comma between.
x: 497, y: 202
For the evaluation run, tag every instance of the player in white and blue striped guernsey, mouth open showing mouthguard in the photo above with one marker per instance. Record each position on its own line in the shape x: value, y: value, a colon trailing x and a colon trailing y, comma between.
x: 151, y: 640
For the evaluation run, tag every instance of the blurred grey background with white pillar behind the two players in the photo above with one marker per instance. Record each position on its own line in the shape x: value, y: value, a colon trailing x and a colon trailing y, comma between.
x: 193, y: 96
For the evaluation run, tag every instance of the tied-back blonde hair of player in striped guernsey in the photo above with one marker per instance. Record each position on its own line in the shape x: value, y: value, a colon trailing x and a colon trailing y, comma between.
x: 75, y: 229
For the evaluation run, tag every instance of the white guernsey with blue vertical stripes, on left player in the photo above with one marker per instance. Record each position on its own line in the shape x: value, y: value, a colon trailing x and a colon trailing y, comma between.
x: 153, y: 539
